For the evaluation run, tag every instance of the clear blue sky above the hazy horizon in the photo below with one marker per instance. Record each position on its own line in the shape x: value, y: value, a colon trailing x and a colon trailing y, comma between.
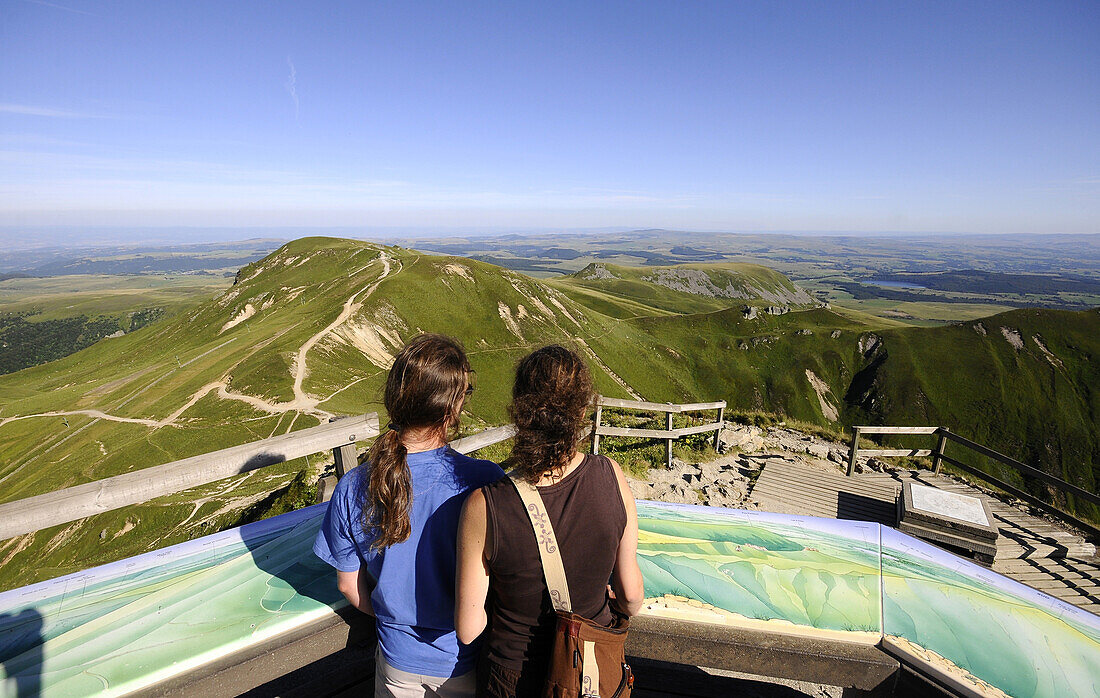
x: 729, y: 116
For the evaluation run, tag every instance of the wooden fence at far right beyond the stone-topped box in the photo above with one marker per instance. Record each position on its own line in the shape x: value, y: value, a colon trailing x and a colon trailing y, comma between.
x: 939, y: 458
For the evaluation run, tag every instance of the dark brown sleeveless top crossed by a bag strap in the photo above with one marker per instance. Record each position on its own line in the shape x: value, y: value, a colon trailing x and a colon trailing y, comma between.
x: 587, y: 512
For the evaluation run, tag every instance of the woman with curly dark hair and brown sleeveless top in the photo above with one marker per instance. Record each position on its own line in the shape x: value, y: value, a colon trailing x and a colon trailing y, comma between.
x: 592, y: 513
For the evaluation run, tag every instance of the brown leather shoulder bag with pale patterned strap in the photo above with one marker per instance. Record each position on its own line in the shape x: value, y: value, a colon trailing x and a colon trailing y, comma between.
x: 587, y: 660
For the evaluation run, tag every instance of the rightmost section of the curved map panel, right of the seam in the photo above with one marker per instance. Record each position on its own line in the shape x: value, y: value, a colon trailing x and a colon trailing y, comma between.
x: 986, y: 634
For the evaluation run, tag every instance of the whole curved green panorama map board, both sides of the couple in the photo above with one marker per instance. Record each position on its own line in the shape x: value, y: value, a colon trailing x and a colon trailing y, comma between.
x: 135, y: 624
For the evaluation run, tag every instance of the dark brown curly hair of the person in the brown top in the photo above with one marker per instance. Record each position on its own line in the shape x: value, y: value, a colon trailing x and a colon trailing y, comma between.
x: 549, y: 400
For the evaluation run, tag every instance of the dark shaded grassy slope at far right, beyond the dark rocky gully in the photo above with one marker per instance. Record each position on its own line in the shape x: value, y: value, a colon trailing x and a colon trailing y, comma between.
x: 1042, y: 412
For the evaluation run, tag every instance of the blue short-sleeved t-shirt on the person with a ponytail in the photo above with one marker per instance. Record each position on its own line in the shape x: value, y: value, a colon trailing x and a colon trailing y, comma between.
x: 414, y: 593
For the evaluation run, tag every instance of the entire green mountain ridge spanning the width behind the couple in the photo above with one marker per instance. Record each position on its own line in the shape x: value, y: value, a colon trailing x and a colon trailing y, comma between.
x: 307, y: 333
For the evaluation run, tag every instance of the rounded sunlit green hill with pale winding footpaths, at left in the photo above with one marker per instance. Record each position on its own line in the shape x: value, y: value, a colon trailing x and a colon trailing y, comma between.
x: 296, y: 294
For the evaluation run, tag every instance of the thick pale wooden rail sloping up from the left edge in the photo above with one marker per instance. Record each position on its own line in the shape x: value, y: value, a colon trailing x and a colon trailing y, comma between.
x: 64, y: 506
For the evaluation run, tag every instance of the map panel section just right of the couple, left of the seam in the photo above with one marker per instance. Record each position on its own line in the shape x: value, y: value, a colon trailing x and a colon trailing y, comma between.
x: 774, y: 572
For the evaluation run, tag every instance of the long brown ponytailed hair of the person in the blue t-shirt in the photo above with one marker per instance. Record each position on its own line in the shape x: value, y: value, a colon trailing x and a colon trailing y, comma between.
x: 424, y: 391
